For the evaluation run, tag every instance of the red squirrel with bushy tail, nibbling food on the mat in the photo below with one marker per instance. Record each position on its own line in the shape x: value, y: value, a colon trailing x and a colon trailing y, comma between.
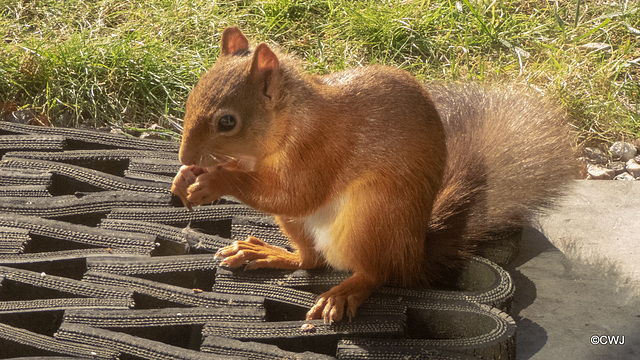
x: 365, y: 170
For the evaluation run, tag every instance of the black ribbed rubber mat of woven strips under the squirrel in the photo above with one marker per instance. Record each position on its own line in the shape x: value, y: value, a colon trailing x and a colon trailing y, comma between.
x: 99, y: 261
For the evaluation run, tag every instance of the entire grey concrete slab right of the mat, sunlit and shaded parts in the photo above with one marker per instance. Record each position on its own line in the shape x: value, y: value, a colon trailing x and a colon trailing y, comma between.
x: 578, y: 276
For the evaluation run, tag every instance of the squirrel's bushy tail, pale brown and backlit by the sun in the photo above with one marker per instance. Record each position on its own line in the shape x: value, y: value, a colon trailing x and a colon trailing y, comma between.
x: 509, y: 156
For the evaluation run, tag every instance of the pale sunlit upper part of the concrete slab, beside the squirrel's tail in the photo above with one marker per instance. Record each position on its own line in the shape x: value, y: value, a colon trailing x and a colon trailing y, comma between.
x: 599, y: 222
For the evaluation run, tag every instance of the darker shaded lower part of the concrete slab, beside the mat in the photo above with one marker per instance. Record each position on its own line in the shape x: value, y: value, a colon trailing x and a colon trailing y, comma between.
x: 560, y: 304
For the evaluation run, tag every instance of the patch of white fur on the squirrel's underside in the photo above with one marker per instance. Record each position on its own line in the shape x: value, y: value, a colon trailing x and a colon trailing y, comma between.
x: 318, y: 225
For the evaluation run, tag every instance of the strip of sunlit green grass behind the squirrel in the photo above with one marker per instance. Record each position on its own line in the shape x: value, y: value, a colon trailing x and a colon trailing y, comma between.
x: 130, y: 62
